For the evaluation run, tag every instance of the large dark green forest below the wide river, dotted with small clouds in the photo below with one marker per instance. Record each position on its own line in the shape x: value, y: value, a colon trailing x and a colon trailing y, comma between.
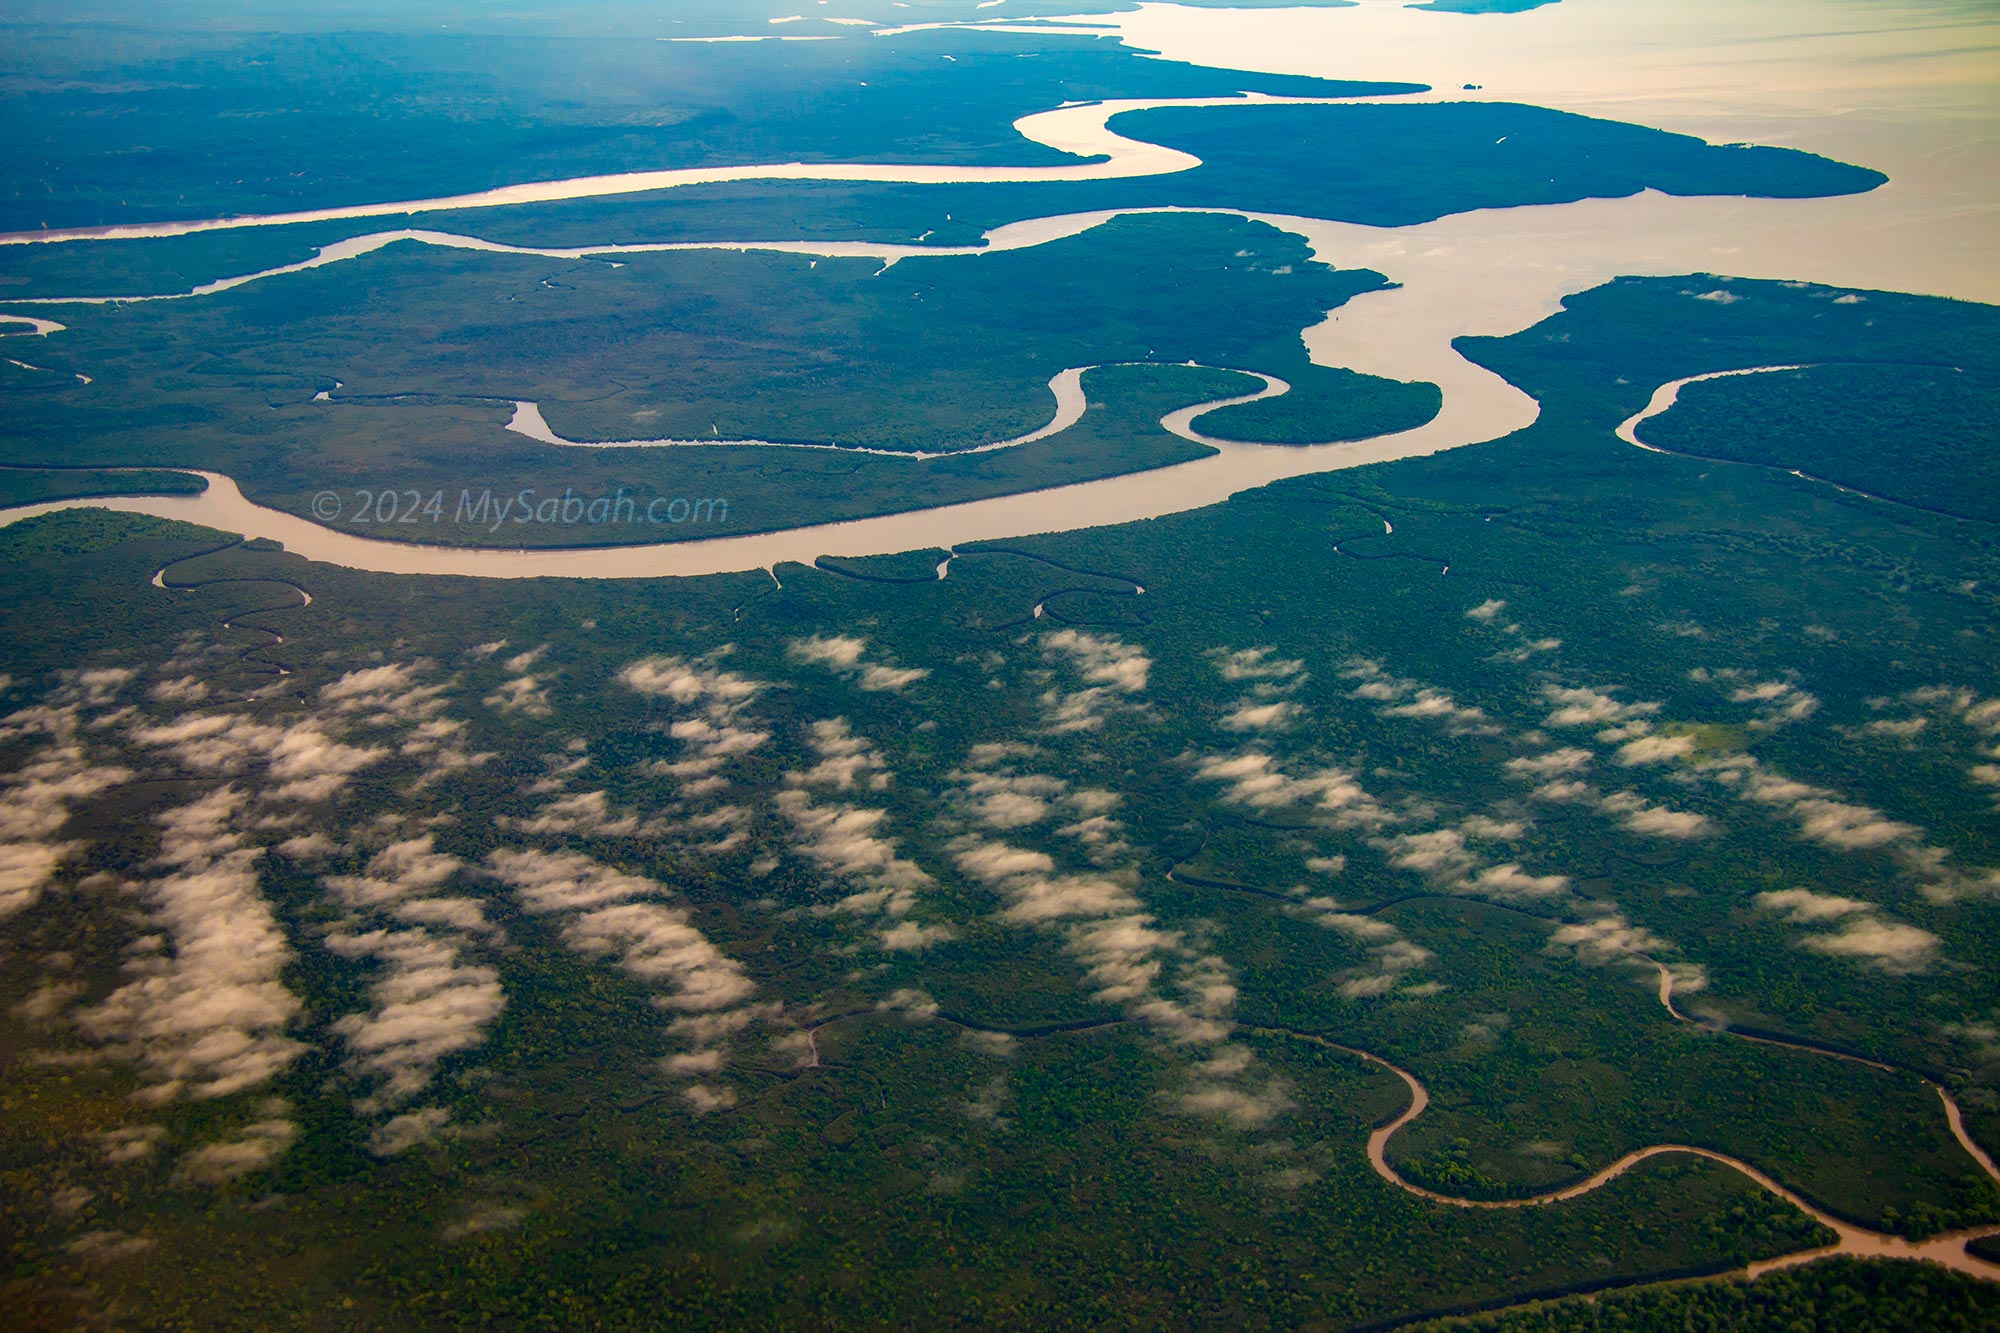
x: 913, y: 1170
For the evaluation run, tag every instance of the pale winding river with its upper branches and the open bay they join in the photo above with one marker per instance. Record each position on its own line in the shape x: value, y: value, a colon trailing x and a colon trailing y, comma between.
x: 1927, y: 119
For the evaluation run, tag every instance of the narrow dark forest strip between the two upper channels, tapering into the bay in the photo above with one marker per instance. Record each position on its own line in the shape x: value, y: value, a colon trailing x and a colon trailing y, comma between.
x: 1377, y: 165
